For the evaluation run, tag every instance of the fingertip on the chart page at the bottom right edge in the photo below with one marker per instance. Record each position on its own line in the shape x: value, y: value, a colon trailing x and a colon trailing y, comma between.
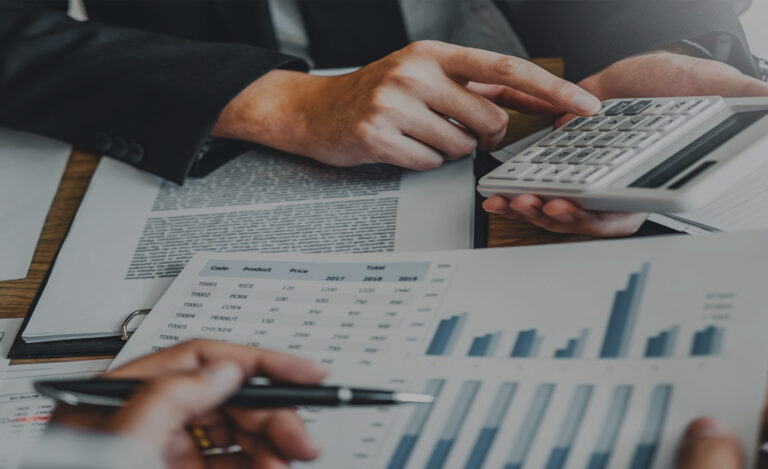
x: 709, y: 444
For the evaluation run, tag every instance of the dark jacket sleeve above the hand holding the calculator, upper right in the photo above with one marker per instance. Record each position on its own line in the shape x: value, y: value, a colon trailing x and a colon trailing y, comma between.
x: 592, y: 34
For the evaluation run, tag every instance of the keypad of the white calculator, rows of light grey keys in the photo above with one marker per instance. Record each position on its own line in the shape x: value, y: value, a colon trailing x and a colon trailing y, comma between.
x: 587, y: 149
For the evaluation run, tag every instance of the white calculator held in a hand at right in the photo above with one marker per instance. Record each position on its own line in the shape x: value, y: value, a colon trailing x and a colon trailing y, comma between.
x: 648, y: 154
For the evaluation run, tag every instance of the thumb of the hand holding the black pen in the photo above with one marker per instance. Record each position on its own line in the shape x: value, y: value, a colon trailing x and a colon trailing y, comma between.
x: 165, y: 405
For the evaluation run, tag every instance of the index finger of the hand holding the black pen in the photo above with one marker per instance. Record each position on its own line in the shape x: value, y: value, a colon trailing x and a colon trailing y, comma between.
x: 197, y: 353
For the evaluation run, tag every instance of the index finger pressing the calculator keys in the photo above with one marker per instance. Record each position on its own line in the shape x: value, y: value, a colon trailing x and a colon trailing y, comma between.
x: 493, y: 68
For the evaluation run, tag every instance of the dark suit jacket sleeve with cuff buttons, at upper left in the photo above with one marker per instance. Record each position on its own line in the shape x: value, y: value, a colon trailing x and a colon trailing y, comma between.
x: 148, y: 99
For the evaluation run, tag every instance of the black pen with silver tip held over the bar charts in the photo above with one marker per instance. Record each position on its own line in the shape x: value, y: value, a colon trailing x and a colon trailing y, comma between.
x: 114, y: 392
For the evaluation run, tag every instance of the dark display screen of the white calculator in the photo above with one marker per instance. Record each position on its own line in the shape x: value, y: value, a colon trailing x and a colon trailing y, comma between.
x: 697, y: 150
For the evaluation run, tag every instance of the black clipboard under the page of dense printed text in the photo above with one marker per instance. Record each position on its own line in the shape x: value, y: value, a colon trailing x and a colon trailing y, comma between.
x: 110, y: 346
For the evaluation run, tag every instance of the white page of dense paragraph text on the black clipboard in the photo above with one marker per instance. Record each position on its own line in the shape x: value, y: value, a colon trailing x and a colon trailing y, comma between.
x: 134, y: 232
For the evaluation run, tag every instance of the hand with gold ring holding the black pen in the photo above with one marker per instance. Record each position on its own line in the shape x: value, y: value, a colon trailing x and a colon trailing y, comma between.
x: 179, y: 409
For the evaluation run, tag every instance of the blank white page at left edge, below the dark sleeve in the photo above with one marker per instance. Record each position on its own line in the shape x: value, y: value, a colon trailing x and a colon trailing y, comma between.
x: 30, y: 171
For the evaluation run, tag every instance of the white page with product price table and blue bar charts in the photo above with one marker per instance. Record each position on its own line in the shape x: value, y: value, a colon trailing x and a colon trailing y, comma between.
x: 534, y: 364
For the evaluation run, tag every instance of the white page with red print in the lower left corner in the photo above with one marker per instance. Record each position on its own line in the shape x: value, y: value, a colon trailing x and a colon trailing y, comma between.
x: 24, y: 413
